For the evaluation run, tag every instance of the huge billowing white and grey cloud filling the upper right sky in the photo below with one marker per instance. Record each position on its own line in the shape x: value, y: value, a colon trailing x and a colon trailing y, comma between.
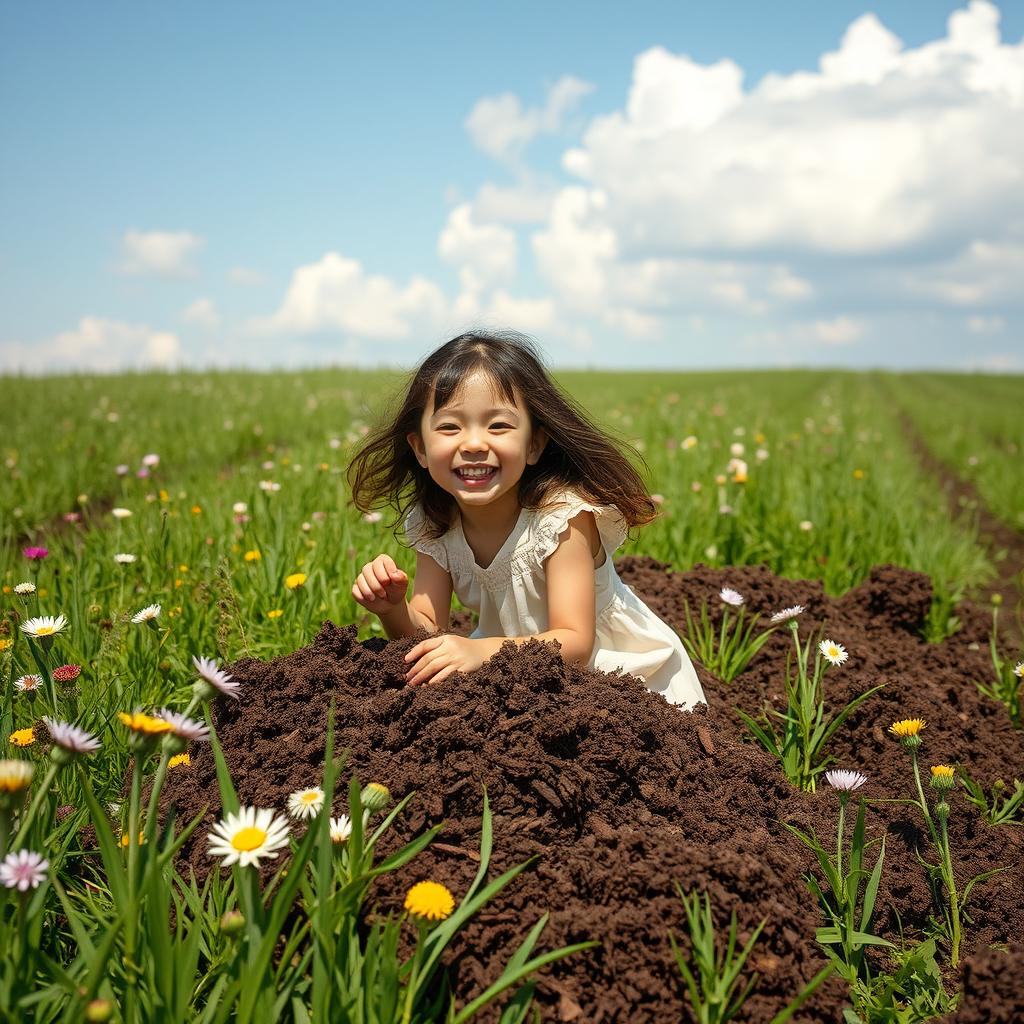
x: 783, y: 199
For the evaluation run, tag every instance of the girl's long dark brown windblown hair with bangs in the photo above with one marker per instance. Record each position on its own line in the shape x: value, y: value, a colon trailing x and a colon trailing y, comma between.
x: 578, y: 455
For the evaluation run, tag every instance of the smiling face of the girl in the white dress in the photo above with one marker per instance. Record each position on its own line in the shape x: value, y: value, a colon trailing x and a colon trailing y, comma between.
x: 478, y: 447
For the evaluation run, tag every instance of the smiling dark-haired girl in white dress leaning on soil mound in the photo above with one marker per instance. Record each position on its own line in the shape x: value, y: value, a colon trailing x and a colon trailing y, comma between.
x: 518, y: 503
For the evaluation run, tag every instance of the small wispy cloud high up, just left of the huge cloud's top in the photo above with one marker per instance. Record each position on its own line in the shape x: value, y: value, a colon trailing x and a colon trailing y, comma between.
x: 503, y: 129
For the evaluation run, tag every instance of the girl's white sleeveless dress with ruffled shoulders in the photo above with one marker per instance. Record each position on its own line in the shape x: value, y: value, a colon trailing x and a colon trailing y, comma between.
x: 510, y: 595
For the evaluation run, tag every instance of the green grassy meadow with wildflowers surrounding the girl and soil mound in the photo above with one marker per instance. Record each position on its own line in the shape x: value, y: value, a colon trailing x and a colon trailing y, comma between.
x: 174, y: 518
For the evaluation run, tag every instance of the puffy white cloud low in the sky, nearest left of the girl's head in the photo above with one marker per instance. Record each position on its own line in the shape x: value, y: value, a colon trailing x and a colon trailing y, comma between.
x: 336, y: 294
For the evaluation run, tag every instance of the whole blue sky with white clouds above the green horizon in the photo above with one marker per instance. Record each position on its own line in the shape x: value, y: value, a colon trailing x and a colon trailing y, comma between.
x: 664, y: 185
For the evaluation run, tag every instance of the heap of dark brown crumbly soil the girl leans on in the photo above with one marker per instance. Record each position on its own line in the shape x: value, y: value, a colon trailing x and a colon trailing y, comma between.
x: 621, y: 797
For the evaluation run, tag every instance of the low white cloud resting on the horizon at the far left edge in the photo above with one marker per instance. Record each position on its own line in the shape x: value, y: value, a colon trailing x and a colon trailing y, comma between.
x: 97, y: 345
